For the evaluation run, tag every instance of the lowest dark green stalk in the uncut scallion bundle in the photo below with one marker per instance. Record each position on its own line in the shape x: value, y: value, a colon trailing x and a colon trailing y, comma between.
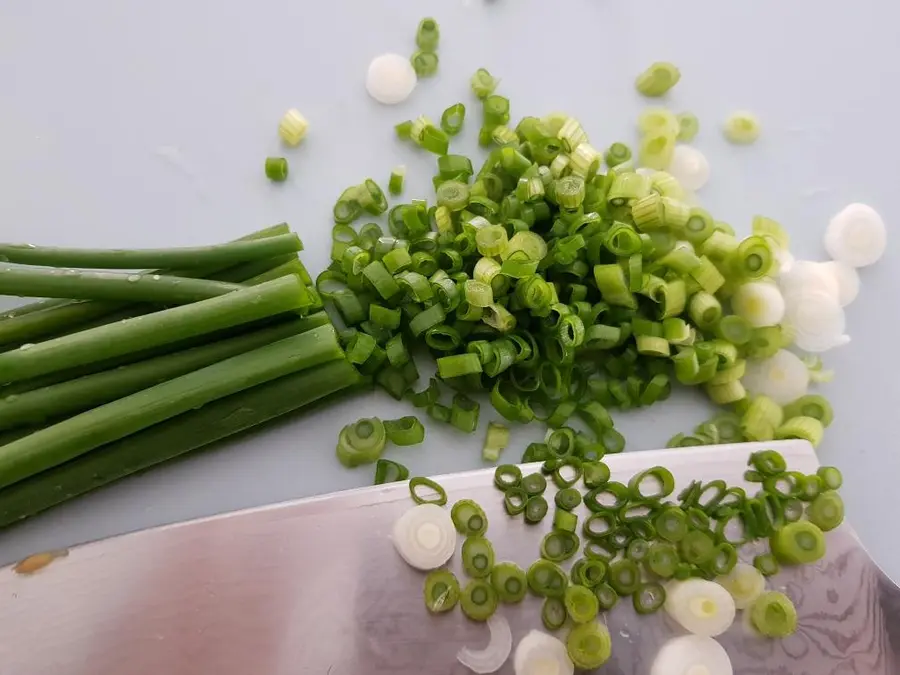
x: 175, y: 437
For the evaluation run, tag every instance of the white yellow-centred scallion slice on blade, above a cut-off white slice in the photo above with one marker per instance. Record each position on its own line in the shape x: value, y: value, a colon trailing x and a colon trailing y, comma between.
x: 700, y: 607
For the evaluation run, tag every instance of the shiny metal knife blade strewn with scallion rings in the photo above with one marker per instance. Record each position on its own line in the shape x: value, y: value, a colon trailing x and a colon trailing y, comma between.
x: 315, y: 587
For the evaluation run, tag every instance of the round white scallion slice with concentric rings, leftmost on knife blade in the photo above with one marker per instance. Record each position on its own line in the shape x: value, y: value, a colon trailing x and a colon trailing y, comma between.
x: 425, y: 536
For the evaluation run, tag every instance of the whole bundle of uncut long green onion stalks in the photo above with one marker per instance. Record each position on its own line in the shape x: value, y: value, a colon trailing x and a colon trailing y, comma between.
x: 124, y: 370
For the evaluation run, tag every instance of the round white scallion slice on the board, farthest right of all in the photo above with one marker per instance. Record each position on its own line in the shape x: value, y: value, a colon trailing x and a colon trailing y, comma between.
x: 856, y: 236
